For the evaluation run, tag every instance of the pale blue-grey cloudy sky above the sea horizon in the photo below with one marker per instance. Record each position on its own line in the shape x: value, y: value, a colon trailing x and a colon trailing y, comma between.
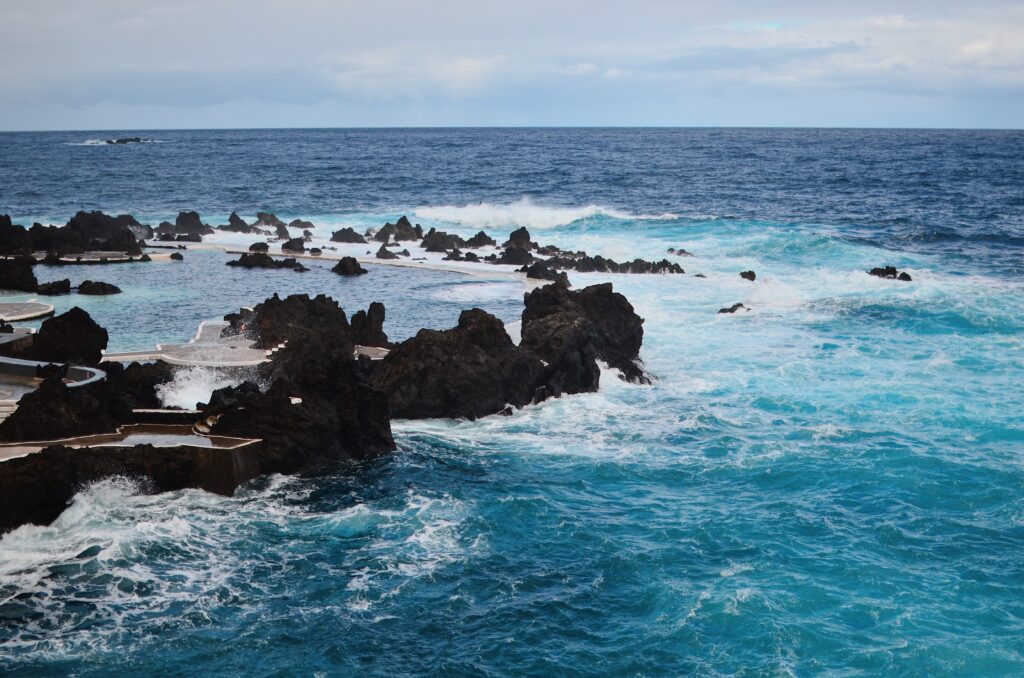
x: 124, y: 65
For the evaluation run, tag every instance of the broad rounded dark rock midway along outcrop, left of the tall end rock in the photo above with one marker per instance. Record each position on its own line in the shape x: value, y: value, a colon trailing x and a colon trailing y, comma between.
x: 471, y: 371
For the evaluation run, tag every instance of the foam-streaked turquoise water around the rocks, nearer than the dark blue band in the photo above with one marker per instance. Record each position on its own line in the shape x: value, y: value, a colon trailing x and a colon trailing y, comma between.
x: 832, y: 484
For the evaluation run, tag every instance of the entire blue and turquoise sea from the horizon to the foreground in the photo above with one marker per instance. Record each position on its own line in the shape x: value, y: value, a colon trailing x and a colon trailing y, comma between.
x: 832, y: 484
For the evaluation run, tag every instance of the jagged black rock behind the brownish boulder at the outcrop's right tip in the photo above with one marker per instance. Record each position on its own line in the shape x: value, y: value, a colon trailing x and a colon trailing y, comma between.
x: 618, y: 329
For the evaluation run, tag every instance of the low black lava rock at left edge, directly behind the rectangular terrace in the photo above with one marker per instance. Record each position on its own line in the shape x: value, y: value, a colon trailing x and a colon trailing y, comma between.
x: 54, y: 411
